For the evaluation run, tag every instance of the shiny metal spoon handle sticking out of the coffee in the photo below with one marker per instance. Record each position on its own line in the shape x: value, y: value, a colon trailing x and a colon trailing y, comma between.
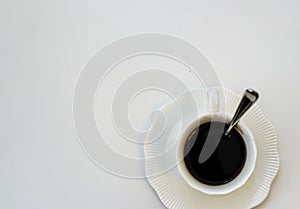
x: 249, y: 98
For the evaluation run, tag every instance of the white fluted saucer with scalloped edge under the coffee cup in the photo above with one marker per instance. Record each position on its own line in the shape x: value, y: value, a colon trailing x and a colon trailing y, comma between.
x: 160, y: 155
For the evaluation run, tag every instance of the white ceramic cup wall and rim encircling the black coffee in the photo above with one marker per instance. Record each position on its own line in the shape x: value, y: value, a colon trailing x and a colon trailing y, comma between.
x: 240, y: 179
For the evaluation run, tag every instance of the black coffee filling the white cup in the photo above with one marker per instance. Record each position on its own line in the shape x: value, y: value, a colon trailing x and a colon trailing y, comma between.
x: 227, y: 160
